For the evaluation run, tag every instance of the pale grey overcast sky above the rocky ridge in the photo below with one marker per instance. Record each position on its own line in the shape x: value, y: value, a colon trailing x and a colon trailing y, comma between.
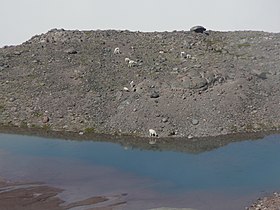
x: 21, y: 19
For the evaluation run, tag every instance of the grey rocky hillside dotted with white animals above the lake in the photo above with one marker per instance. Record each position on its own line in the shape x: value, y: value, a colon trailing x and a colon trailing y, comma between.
x: 178, y: 83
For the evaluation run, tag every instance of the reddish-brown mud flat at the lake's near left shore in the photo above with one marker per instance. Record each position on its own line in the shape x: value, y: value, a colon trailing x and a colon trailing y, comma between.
x: 37, y: 196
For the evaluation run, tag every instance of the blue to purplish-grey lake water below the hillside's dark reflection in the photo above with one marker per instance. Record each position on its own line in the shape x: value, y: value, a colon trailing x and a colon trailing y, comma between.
x: 228, y: 177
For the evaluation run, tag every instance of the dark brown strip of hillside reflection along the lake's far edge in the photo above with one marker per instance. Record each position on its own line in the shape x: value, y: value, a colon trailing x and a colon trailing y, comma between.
x: 179, y: 144
